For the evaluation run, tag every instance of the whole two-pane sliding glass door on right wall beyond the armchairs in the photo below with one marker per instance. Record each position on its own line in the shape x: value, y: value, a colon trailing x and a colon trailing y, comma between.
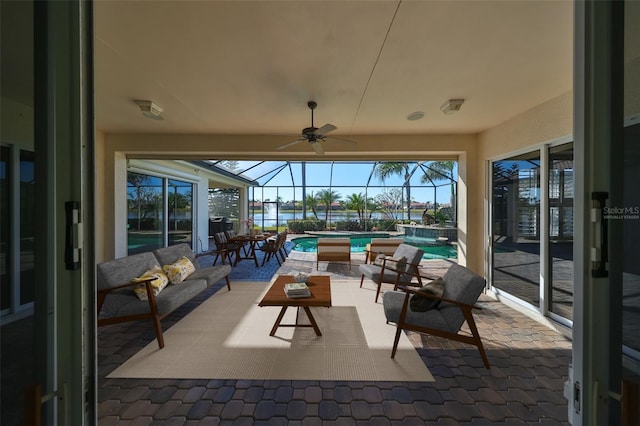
x: 532, y: 217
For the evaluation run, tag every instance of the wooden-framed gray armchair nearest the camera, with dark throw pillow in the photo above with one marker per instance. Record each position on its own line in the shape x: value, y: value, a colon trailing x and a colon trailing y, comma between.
x: 462, y: 289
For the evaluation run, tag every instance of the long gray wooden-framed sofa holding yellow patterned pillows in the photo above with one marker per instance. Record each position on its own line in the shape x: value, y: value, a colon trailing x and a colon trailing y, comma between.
x: 118, y: 303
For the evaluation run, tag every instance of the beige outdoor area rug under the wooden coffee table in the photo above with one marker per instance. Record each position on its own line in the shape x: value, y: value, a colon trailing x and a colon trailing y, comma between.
x: 227, y: 337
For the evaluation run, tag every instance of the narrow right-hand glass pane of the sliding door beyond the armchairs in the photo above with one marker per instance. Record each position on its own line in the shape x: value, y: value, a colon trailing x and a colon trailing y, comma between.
x: 561, y: 187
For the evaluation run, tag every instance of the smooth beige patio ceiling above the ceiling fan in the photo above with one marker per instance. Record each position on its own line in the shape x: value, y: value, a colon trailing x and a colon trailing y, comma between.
x: 249, y: 67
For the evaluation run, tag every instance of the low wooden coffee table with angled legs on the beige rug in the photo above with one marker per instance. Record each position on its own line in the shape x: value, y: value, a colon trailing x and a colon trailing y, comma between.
x: 320, y: 286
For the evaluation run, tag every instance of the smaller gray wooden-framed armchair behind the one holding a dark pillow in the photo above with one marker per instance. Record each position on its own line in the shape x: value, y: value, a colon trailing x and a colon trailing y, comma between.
x: 392, y: 272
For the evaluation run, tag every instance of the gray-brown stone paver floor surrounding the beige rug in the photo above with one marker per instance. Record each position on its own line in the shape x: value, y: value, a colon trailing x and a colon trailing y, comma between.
x: 524, y: 385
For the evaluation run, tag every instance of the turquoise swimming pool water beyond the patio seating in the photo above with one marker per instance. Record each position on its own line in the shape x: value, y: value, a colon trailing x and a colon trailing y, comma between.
x: 432, y: 250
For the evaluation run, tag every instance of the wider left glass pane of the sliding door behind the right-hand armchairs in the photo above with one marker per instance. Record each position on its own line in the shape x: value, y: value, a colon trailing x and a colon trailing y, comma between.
x: 516, y: 226
